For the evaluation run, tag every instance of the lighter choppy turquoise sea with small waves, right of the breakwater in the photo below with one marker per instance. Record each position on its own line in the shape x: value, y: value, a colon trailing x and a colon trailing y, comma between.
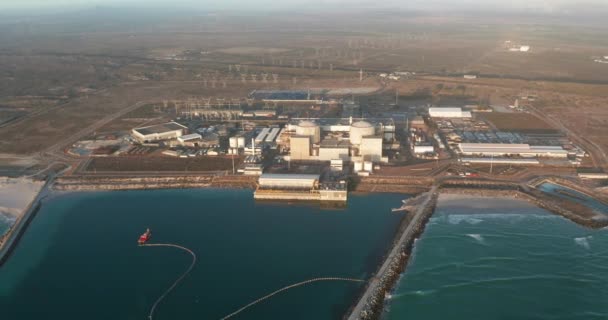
x: 501, y: 259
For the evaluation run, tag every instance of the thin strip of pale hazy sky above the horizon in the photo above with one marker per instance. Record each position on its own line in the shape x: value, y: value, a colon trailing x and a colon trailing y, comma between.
x: 538, y: 5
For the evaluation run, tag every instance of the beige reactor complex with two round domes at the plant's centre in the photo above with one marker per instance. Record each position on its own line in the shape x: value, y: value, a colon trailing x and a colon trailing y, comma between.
x: 339, y: 139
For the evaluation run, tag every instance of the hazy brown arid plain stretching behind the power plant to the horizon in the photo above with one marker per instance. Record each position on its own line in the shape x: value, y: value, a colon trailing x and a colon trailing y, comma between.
x: 64, y: 79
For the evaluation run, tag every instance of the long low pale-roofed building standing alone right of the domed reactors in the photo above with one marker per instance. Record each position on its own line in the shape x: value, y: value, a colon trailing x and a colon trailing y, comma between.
x: 511, y: 149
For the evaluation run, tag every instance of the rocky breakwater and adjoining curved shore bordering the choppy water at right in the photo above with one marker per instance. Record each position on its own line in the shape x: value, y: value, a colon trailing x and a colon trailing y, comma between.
x: 371, y: 304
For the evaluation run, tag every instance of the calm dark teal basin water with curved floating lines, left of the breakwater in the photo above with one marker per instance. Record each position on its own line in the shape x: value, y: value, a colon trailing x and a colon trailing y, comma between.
x: 79, y: 258
